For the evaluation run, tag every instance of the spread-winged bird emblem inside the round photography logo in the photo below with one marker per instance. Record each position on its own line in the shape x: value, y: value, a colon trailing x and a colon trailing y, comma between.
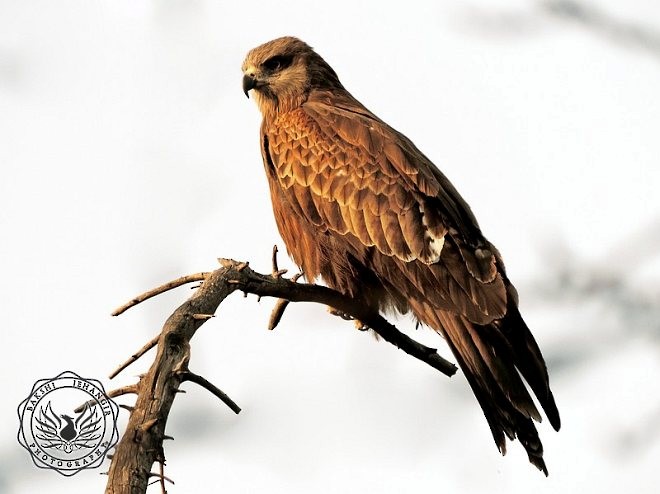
x: 64, y: 433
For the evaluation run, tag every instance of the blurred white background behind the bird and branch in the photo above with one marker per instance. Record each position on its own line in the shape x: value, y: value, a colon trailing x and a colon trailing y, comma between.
x: 129, y: 156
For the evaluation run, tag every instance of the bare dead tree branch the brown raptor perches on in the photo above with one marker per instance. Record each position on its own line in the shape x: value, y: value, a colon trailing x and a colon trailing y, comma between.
x: 142, y: 443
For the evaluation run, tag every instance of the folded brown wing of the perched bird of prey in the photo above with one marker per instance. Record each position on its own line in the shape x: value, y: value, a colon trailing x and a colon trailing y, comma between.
x: 350, y: 173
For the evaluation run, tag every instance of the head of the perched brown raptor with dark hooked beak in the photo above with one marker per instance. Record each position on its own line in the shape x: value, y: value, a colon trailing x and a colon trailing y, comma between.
x: 282, y: 72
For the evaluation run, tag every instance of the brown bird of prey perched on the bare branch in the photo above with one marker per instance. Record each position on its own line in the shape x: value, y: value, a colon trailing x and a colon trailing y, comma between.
x: 359, y: 205
